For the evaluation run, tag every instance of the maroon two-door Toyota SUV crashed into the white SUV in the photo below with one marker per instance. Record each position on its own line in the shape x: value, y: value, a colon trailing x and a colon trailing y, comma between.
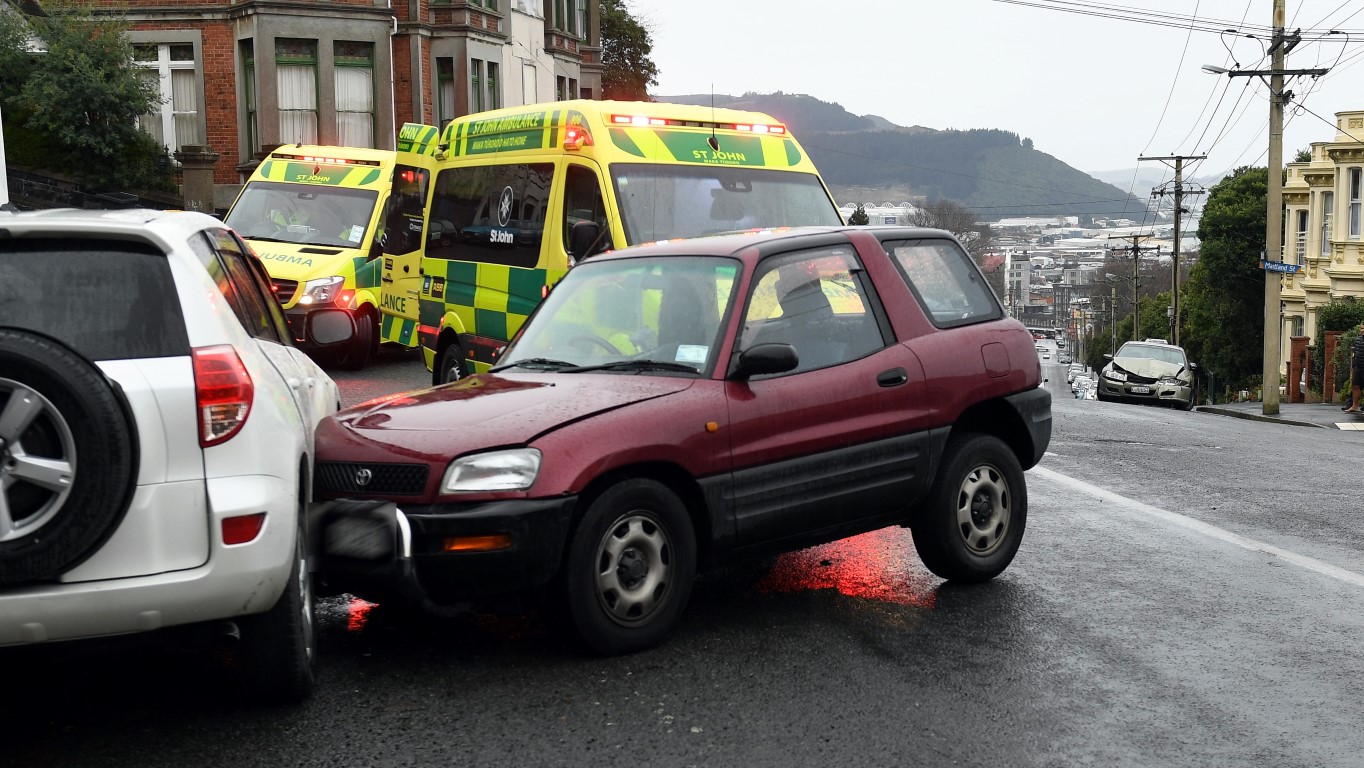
x: 677, y: 406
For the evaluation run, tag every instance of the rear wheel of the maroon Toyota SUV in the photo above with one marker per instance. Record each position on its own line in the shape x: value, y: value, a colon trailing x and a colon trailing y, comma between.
x: 976, y: 512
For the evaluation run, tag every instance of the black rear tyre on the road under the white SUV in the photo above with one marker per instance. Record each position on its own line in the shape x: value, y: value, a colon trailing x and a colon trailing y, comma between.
x: 279, y: 647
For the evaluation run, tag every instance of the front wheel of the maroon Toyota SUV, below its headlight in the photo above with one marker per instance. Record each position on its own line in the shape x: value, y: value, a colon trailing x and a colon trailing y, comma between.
x: 631, y: 567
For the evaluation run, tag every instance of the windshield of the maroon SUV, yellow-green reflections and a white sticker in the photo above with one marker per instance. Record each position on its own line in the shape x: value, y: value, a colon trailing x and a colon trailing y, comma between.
x: 631, y: 316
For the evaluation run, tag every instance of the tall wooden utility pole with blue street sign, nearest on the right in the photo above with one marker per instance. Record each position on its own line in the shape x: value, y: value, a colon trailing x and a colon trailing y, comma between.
x: 1280, y: 47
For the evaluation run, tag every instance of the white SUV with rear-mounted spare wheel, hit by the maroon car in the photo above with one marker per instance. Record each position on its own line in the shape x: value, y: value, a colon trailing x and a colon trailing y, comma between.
x: 156, y: 439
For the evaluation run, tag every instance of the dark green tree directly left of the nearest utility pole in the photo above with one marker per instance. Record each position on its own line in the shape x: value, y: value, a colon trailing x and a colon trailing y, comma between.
x: 1224, y: 298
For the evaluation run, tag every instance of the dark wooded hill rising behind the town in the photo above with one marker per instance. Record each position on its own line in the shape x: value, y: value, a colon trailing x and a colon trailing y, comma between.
x: 868, y: 159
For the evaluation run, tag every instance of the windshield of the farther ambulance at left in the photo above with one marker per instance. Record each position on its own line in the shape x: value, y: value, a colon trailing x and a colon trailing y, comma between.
x: 303, y: 213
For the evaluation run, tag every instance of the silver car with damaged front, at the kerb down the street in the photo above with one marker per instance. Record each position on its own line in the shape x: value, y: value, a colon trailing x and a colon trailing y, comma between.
x: 1151, y: 373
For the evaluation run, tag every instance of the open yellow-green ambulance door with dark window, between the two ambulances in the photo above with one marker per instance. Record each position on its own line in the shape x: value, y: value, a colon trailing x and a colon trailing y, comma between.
x: 404, y: 241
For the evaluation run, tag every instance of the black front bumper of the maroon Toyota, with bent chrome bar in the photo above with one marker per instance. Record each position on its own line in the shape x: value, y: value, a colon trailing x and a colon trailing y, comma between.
x: 376, y: 548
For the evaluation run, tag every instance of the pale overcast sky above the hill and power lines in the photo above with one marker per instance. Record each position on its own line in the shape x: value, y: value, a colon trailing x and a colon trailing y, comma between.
x: 1088, y: 91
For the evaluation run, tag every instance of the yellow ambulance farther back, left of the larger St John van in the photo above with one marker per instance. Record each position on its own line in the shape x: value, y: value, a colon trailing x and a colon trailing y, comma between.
x: 342, y: 227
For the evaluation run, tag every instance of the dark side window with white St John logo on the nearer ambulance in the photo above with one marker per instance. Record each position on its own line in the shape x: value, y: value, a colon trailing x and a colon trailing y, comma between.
x: 490, y: 213
